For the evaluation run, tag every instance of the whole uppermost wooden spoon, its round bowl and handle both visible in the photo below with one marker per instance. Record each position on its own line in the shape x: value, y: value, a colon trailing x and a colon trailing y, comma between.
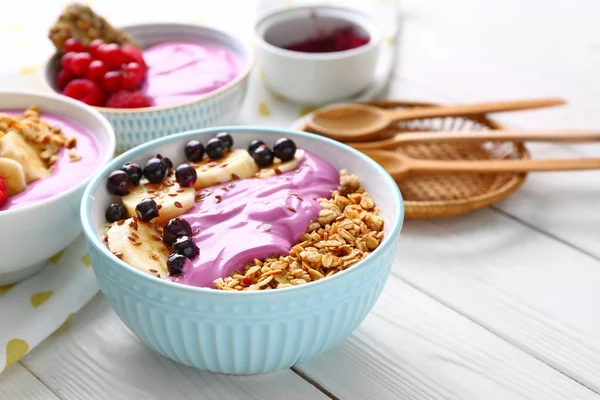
x: 361, y: 122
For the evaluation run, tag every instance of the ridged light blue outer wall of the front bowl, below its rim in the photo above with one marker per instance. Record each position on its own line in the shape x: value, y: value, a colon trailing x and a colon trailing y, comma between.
x: 230, y: 336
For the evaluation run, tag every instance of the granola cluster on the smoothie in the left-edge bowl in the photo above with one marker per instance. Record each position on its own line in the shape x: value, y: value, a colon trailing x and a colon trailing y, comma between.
x: 46, y: 139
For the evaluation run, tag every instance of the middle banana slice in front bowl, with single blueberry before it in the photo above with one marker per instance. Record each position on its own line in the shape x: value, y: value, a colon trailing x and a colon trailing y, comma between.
x: 172, y: 199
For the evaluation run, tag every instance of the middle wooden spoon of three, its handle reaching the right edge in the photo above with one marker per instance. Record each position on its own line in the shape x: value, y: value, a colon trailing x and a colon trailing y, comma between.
x: 564, y: 136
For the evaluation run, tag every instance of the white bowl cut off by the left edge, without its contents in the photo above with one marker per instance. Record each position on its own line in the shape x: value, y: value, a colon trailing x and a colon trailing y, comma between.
x: 31, y: 234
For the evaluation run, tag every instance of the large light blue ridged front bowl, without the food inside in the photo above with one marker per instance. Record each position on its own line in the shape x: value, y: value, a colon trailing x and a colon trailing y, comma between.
x: 244, y: 332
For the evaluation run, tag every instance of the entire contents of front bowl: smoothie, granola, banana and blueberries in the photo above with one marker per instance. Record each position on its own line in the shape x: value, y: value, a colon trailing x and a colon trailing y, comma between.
x: 239, y: 219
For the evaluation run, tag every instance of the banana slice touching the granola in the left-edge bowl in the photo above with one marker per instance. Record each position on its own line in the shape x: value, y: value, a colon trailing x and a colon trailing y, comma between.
x: 15, y: 147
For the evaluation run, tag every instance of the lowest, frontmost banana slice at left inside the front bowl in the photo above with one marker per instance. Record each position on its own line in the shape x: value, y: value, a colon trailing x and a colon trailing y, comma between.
x: 142, y: 248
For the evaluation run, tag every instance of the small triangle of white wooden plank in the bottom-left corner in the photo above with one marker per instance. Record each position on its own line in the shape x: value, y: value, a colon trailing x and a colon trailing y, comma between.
x: 17, y: 383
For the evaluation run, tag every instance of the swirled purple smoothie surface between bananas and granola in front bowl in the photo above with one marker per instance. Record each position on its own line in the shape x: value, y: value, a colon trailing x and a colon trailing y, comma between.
x: 254, y: 218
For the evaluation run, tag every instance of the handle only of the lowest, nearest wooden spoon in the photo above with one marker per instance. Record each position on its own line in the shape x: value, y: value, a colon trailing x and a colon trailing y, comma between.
x: 482, y: 166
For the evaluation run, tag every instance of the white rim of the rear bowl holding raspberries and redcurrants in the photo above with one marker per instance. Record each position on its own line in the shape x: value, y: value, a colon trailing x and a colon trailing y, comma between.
x: 242, y: 74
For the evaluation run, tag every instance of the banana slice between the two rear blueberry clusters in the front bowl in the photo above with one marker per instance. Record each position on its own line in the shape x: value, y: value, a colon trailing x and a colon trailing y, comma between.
x: 236, y: 165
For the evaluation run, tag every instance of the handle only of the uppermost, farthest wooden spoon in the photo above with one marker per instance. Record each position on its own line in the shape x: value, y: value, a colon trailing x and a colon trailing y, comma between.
x: 429, y: 112
